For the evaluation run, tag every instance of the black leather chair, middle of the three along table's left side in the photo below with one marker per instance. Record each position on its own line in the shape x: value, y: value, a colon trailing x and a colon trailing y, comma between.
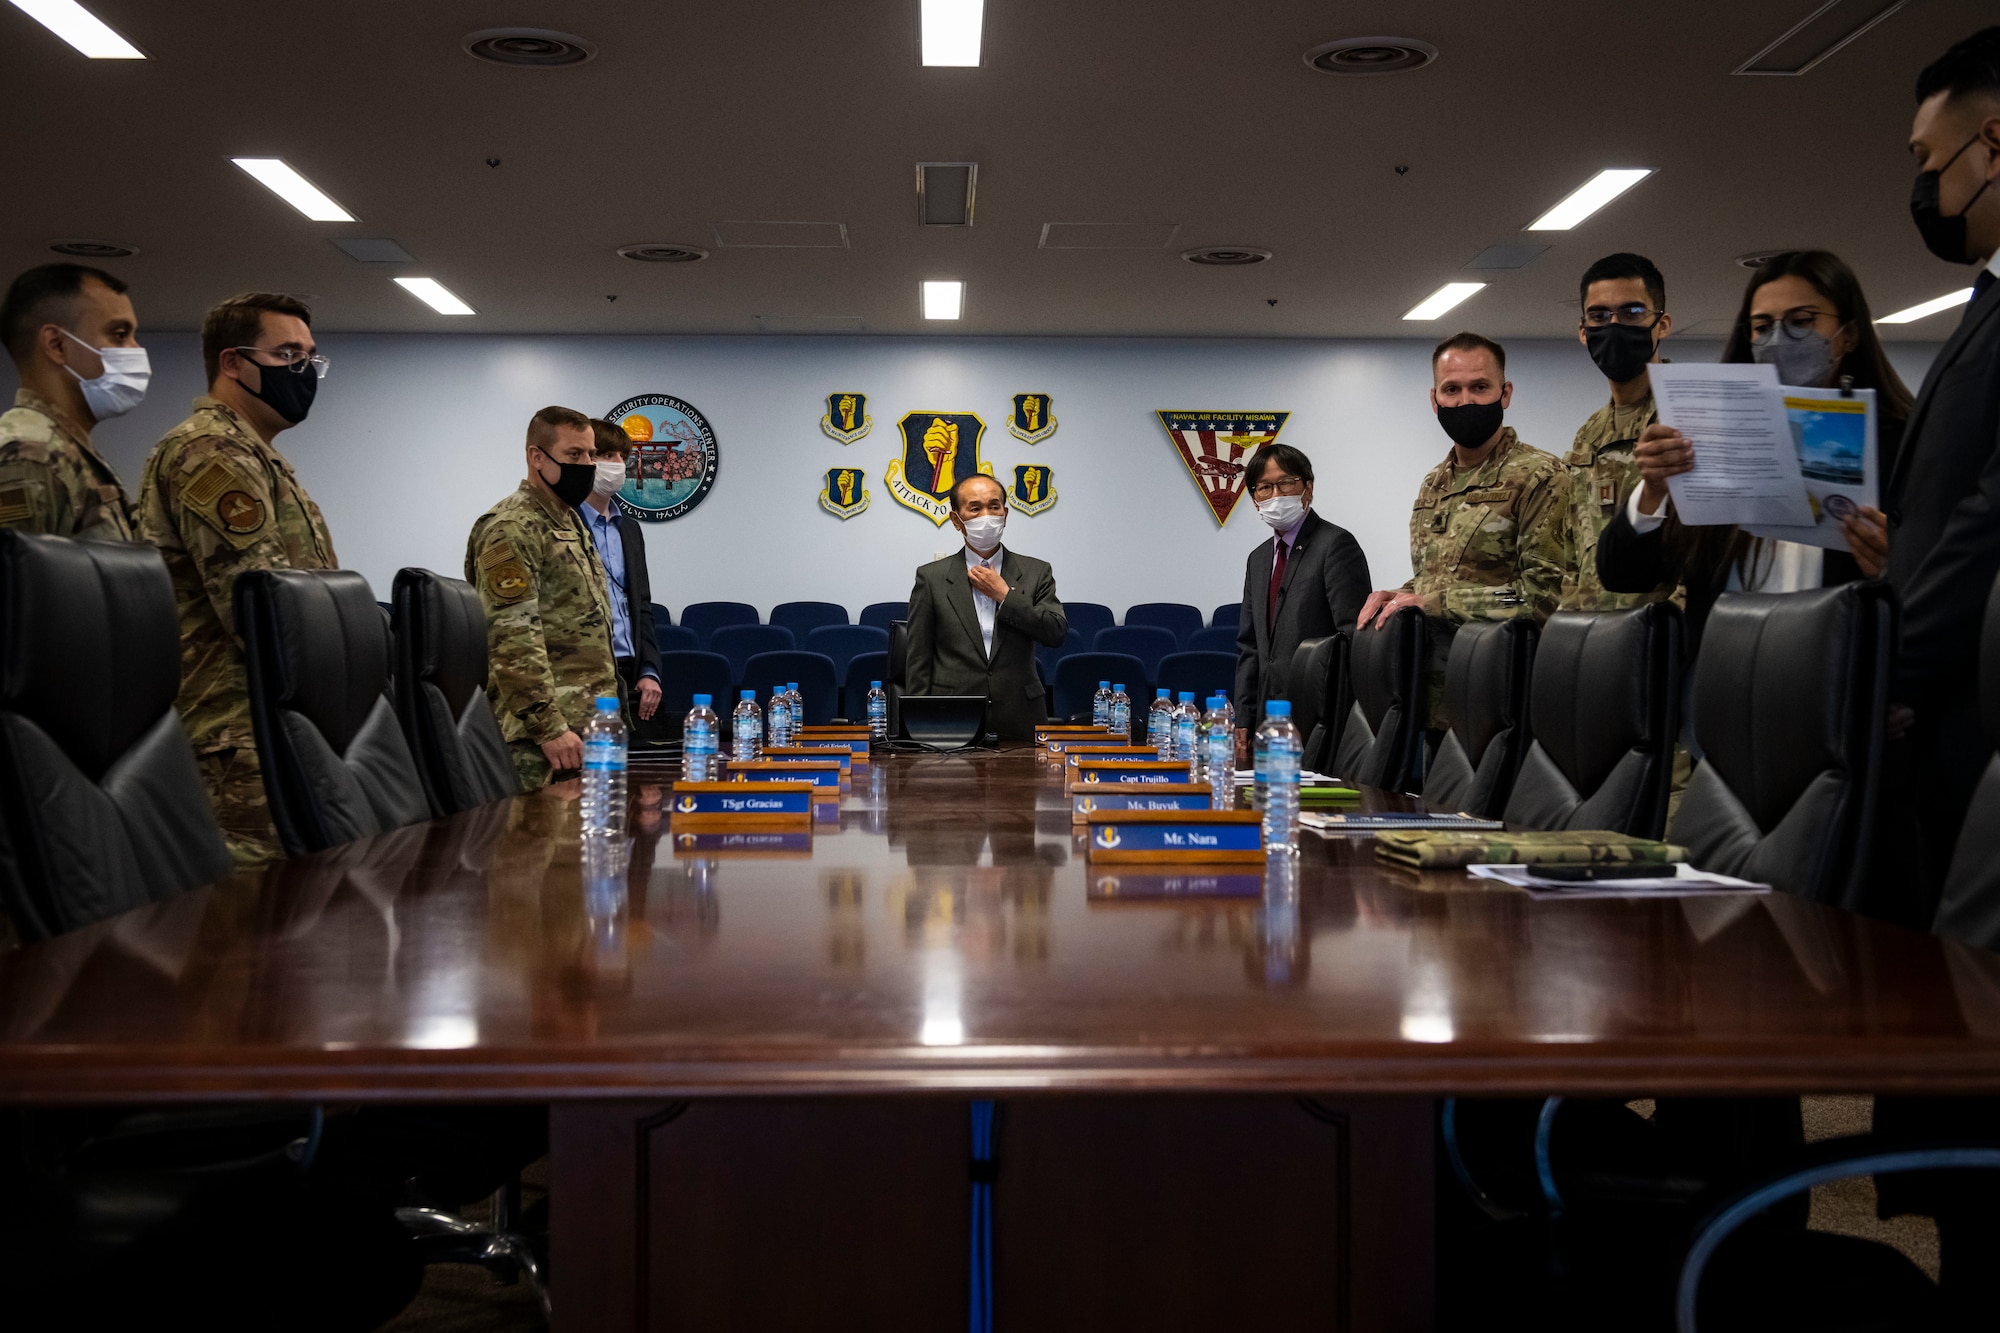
x: 335, y: 762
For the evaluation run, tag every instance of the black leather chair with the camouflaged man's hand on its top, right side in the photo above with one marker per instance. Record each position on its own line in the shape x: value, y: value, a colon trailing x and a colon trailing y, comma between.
x: 1389, y: 676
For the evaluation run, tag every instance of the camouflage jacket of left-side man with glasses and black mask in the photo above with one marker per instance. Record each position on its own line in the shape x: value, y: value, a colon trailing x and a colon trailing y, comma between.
x: 219, y: 501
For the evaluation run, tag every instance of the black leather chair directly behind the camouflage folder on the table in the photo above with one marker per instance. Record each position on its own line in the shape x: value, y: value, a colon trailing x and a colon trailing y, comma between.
x: 1605, y: 708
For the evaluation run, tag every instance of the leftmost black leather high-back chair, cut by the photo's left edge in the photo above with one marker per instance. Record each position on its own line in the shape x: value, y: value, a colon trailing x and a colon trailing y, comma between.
x: 101, y: 804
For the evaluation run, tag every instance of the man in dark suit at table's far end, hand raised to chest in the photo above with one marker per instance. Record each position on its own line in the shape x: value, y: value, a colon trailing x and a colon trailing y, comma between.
x: 977, y: 615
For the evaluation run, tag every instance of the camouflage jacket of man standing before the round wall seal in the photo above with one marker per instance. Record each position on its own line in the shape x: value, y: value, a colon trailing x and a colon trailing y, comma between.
x: 549, y: 619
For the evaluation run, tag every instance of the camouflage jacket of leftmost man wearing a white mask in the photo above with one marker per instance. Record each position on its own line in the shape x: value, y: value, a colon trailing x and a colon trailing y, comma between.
x: 53, y: 477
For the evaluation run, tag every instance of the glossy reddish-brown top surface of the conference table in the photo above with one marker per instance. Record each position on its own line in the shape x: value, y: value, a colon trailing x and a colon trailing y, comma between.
x: 943, y: 932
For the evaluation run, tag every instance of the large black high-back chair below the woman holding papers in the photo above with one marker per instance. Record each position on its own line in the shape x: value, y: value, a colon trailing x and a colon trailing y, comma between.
x: 1789, y: 704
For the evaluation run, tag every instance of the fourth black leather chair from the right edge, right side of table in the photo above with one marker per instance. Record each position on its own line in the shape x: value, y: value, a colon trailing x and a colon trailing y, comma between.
x: 1487, y: 704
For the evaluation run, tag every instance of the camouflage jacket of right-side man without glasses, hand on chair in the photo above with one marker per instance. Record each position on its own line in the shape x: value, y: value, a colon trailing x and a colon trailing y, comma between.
x: 1487, y: 545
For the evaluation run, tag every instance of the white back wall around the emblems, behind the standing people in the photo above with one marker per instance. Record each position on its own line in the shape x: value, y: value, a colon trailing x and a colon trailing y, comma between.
x: 413, y: 437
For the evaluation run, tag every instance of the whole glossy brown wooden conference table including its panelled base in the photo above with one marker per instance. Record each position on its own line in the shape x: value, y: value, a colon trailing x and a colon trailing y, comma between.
x: 1211, y: 1090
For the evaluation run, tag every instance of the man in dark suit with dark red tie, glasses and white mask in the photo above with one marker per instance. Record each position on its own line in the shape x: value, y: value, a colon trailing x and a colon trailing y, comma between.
x: 1305, y: 583
